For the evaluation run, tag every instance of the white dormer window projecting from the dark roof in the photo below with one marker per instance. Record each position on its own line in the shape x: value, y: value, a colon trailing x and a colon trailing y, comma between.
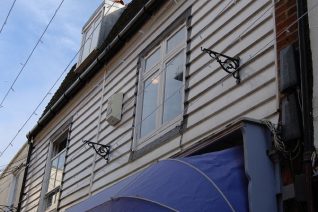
x: 97, y: 28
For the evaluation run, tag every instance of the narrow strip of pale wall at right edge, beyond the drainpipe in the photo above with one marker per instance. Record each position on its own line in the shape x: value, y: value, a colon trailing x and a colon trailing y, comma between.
x: 313, y: 26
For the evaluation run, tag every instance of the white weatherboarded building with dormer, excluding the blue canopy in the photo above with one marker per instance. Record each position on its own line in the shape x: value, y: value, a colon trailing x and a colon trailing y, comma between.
x: 167, y: 79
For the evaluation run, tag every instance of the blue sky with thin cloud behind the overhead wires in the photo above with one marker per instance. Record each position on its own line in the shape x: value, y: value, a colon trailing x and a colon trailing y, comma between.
x: 26, y: 23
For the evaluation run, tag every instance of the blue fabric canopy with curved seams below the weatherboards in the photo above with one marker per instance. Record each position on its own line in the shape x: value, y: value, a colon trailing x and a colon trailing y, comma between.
x: 209, y: 182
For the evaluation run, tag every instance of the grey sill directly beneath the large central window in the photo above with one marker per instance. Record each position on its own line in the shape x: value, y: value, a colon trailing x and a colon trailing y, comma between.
x: 157, y: 141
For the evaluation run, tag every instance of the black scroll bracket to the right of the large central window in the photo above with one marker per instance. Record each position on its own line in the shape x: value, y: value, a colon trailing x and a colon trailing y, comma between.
x: 229, y: 64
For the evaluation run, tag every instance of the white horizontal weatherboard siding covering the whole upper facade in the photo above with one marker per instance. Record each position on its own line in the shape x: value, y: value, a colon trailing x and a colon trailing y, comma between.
x: 213, y: 100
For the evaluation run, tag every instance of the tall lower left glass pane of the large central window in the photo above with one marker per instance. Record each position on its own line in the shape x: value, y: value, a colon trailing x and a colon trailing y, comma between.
x: 149, y: 106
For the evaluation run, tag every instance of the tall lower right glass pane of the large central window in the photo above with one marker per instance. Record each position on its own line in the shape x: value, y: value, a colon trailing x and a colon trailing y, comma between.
x: 173, y: 88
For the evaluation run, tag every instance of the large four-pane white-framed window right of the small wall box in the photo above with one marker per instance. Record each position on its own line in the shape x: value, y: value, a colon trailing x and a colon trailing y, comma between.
x: 161, y: 85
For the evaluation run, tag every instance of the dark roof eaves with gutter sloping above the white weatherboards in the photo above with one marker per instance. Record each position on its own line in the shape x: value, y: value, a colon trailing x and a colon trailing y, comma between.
x: 119, y: 35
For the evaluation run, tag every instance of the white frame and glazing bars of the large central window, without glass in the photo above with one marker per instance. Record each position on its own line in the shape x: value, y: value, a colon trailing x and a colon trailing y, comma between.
x: 161, y: 128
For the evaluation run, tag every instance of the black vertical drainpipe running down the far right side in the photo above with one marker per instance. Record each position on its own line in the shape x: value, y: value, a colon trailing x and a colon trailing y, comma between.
x: 306, y: 76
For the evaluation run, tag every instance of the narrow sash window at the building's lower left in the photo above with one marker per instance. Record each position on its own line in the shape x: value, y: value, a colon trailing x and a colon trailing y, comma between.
x: 55, y: 173
